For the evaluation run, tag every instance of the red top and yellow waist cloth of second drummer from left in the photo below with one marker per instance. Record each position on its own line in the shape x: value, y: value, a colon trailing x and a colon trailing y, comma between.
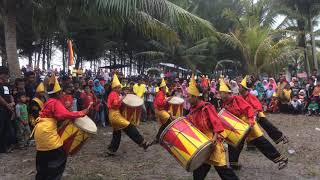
x: 117, y: 121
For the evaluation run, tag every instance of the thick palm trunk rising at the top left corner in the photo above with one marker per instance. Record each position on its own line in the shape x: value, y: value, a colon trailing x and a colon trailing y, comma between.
x: 10, y: 31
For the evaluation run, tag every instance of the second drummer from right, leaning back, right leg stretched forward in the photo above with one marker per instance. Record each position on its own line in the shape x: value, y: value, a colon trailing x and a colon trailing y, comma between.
x: 241, y: 109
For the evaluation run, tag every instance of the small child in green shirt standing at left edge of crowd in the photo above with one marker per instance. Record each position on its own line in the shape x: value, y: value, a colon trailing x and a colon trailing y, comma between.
x: 22, y: 122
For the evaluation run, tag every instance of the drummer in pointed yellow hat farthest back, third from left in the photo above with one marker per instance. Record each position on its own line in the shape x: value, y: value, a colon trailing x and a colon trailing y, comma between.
x: 160, y: 105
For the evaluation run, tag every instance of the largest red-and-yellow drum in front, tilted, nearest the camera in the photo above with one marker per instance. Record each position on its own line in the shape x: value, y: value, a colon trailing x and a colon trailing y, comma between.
x: 188, y: 145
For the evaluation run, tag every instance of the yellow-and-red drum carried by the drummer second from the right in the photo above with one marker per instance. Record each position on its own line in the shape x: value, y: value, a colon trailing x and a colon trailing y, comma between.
x: 235, y: 129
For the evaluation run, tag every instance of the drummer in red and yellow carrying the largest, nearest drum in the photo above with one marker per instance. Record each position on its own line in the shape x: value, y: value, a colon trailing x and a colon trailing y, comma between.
x: 204, y: 116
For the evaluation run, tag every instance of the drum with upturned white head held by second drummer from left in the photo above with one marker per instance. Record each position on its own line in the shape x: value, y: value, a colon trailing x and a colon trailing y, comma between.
x: 132, y: 108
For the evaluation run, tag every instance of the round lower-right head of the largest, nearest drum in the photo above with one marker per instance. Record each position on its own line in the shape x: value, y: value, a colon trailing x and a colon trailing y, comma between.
x: 200, y: 157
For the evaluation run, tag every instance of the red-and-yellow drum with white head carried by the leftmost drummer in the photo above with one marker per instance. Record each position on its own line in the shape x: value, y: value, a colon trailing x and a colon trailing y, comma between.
x: 74, y: 134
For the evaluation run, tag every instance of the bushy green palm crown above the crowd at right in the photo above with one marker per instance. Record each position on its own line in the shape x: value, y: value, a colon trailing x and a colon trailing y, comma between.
x: 260, y: 47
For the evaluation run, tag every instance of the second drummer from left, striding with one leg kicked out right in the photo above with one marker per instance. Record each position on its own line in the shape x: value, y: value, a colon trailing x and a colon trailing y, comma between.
x: 118, y: 122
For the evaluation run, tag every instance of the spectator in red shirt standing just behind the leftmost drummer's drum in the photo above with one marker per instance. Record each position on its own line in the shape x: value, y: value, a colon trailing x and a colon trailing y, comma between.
x: 87, y: 98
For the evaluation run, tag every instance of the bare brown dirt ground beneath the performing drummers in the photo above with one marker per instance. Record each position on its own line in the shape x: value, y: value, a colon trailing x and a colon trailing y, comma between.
x: 133, y: 163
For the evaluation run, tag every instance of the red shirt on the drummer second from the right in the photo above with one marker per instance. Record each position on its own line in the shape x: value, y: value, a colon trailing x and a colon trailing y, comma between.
x: 240, y: 108
